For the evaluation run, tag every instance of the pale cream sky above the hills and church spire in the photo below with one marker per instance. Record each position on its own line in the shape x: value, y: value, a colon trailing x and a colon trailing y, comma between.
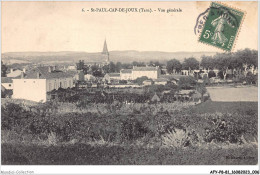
x: 62, y: 26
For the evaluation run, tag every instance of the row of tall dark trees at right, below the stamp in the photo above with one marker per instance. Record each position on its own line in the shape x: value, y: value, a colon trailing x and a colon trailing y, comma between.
x: 238, y: 63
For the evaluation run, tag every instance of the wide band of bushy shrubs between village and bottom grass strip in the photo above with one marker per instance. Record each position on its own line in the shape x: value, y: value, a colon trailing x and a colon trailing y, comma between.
x: 117, y: 125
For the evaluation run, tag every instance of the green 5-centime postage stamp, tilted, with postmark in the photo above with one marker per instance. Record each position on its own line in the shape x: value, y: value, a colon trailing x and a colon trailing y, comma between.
x: 222, y: 26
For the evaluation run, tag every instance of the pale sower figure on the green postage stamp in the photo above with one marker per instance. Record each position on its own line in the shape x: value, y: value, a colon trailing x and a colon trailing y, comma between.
x: 220, y: 23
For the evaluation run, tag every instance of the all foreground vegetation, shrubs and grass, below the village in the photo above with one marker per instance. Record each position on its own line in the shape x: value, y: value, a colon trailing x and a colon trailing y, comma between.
x: 166, y: 133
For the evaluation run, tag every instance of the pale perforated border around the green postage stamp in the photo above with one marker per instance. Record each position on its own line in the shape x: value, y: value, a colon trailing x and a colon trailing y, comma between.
x: 238, y: 31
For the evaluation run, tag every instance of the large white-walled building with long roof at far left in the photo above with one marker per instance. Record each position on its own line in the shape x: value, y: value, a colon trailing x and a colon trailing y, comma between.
x: 35, y: 84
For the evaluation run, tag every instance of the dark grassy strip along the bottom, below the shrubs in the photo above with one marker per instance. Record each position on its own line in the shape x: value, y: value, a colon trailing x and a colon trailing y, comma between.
x: 84, y: 154
